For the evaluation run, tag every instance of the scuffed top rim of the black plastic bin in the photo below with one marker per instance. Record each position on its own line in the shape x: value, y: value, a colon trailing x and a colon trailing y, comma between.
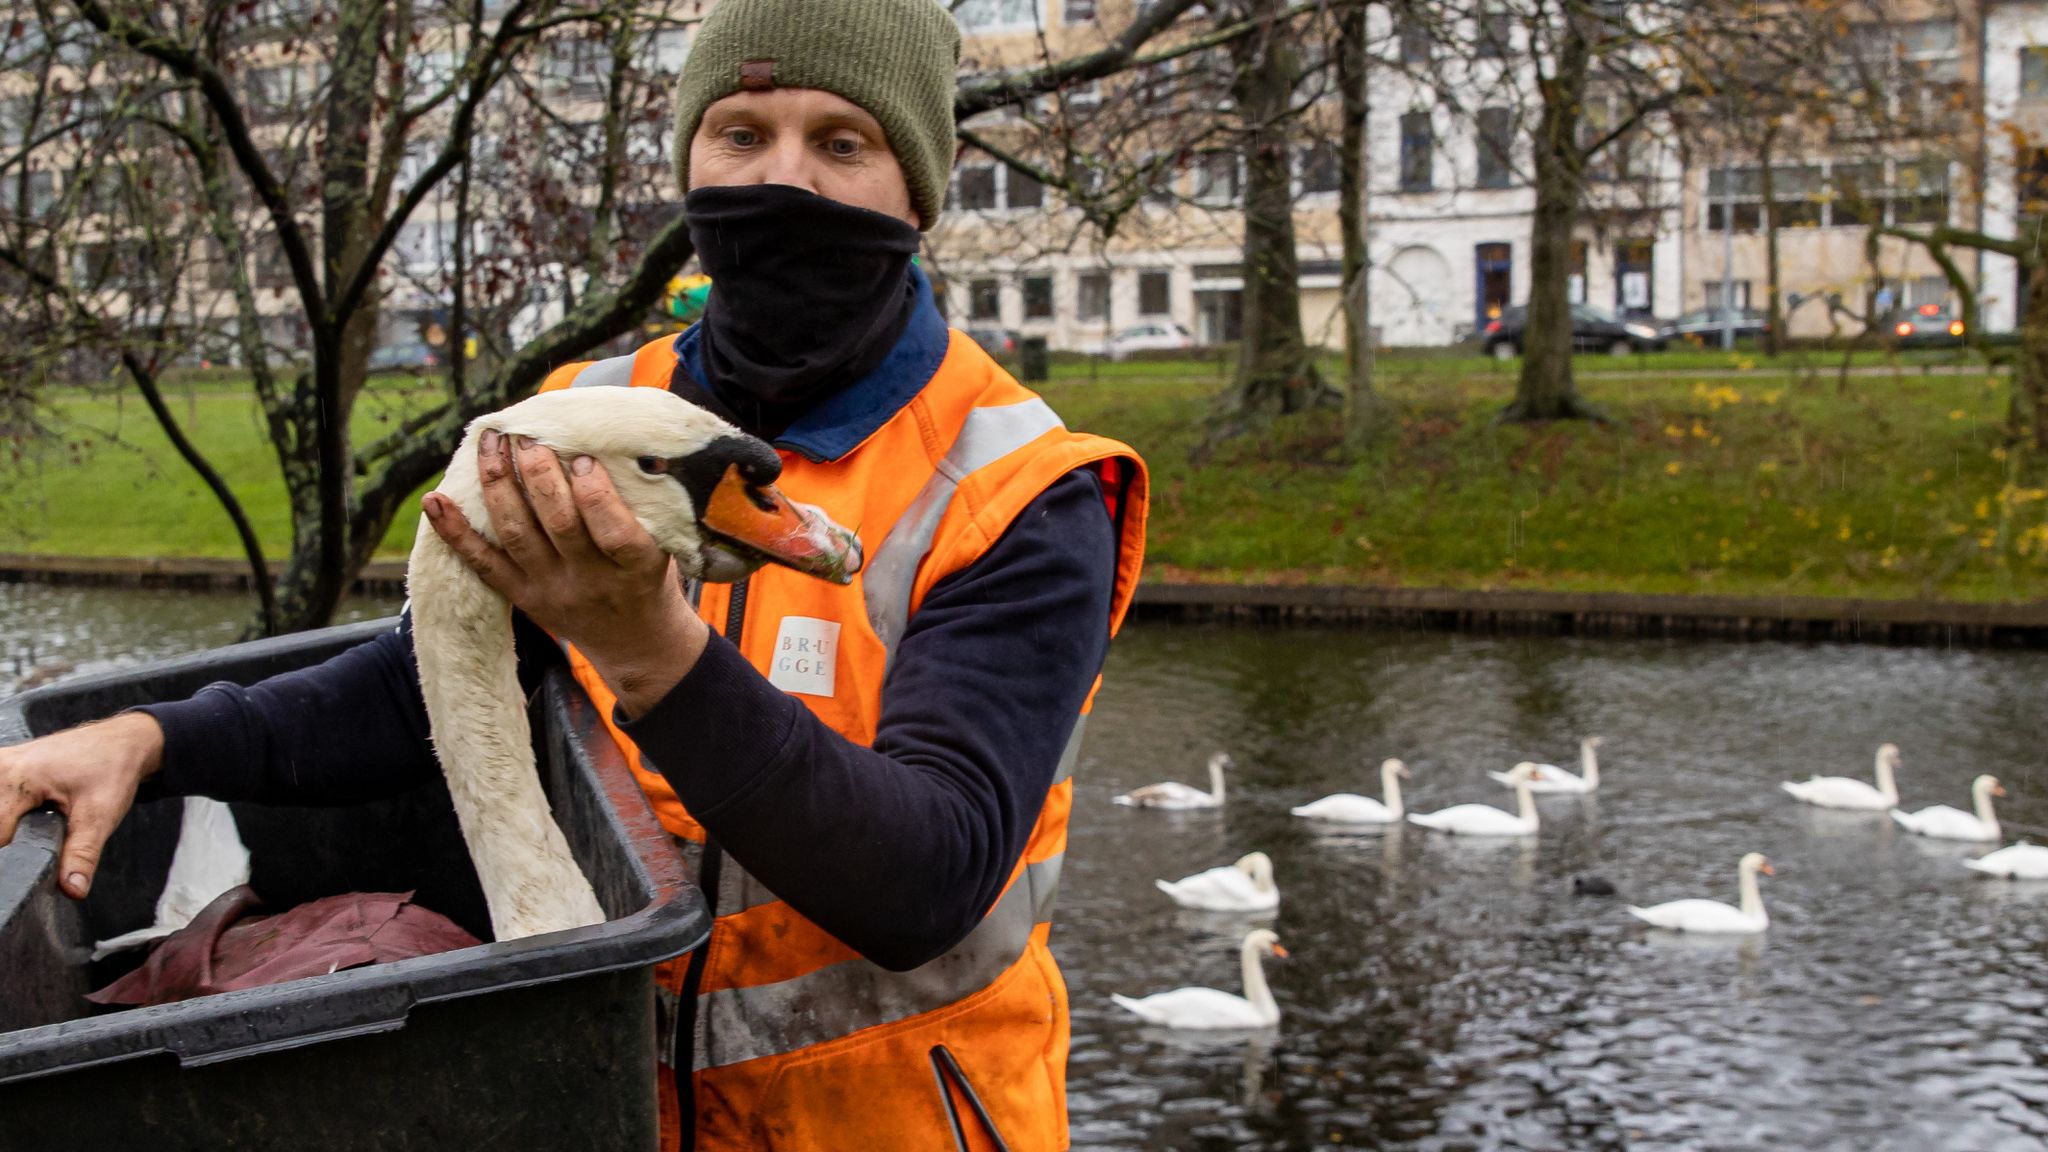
x: 364, y: 999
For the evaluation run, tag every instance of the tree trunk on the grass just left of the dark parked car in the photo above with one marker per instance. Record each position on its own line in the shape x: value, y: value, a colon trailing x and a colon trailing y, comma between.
x: 1545, y: 390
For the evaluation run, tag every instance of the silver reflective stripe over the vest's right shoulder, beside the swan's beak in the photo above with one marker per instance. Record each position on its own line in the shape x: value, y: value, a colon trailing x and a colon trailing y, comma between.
x: 988, y: 438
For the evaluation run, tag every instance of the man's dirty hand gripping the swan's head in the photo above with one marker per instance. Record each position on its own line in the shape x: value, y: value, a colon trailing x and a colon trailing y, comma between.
x: 579, y: 563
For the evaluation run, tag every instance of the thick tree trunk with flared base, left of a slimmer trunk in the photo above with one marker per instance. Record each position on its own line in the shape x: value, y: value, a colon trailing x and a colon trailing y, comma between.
x: 1275, y: 366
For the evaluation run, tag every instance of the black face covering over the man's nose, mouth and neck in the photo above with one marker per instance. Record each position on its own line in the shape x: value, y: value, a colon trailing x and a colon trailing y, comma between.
x: 808, y: 296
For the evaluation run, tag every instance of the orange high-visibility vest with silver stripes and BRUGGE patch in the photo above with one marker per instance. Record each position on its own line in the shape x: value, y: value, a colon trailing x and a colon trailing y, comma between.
x: 794, y: 1040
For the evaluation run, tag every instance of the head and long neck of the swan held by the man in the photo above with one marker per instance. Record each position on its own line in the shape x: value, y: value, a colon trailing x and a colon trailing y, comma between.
x: 703, y: 491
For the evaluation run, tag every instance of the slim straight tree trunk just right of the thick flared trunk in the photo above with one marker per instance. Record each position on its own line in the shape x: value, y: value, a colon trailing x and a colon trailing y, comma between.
x: 1361, y: 405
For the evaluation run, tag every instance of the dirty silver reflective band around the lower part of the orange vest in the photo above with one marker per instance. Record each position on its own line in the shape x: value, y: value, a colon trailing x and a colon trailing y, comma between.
x: 841, y: 999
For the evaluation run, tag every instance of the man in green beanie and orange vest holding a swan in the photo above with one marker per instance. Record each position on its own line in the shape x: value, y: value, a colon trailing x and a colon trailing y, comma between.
x: 869, y: 780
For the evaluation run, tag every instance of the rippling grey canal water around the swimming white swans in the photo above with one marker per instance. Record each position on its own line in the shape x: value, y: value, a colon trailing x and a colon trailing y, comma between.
x: 1451, y: 995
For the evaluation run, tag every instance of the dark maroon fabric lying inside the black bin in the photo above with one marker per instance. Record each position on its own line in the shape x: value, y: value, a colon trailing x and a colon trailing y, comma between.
x: 224, y: 948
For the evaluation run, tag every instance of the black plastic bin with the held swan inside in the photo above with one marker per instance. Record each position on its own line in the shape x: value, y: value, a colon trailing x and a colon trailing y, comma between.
x: 548, y: 1042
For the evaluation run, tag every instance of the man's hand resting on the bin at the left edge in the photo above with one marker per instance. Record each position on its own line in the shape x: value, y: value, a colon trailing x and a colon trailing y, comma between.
x: 91, y: 774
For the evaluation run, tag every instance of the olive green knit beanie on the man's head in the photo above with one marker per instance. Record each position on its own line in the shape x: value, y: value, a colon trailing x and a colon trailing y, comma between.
x: 894, y: 58
